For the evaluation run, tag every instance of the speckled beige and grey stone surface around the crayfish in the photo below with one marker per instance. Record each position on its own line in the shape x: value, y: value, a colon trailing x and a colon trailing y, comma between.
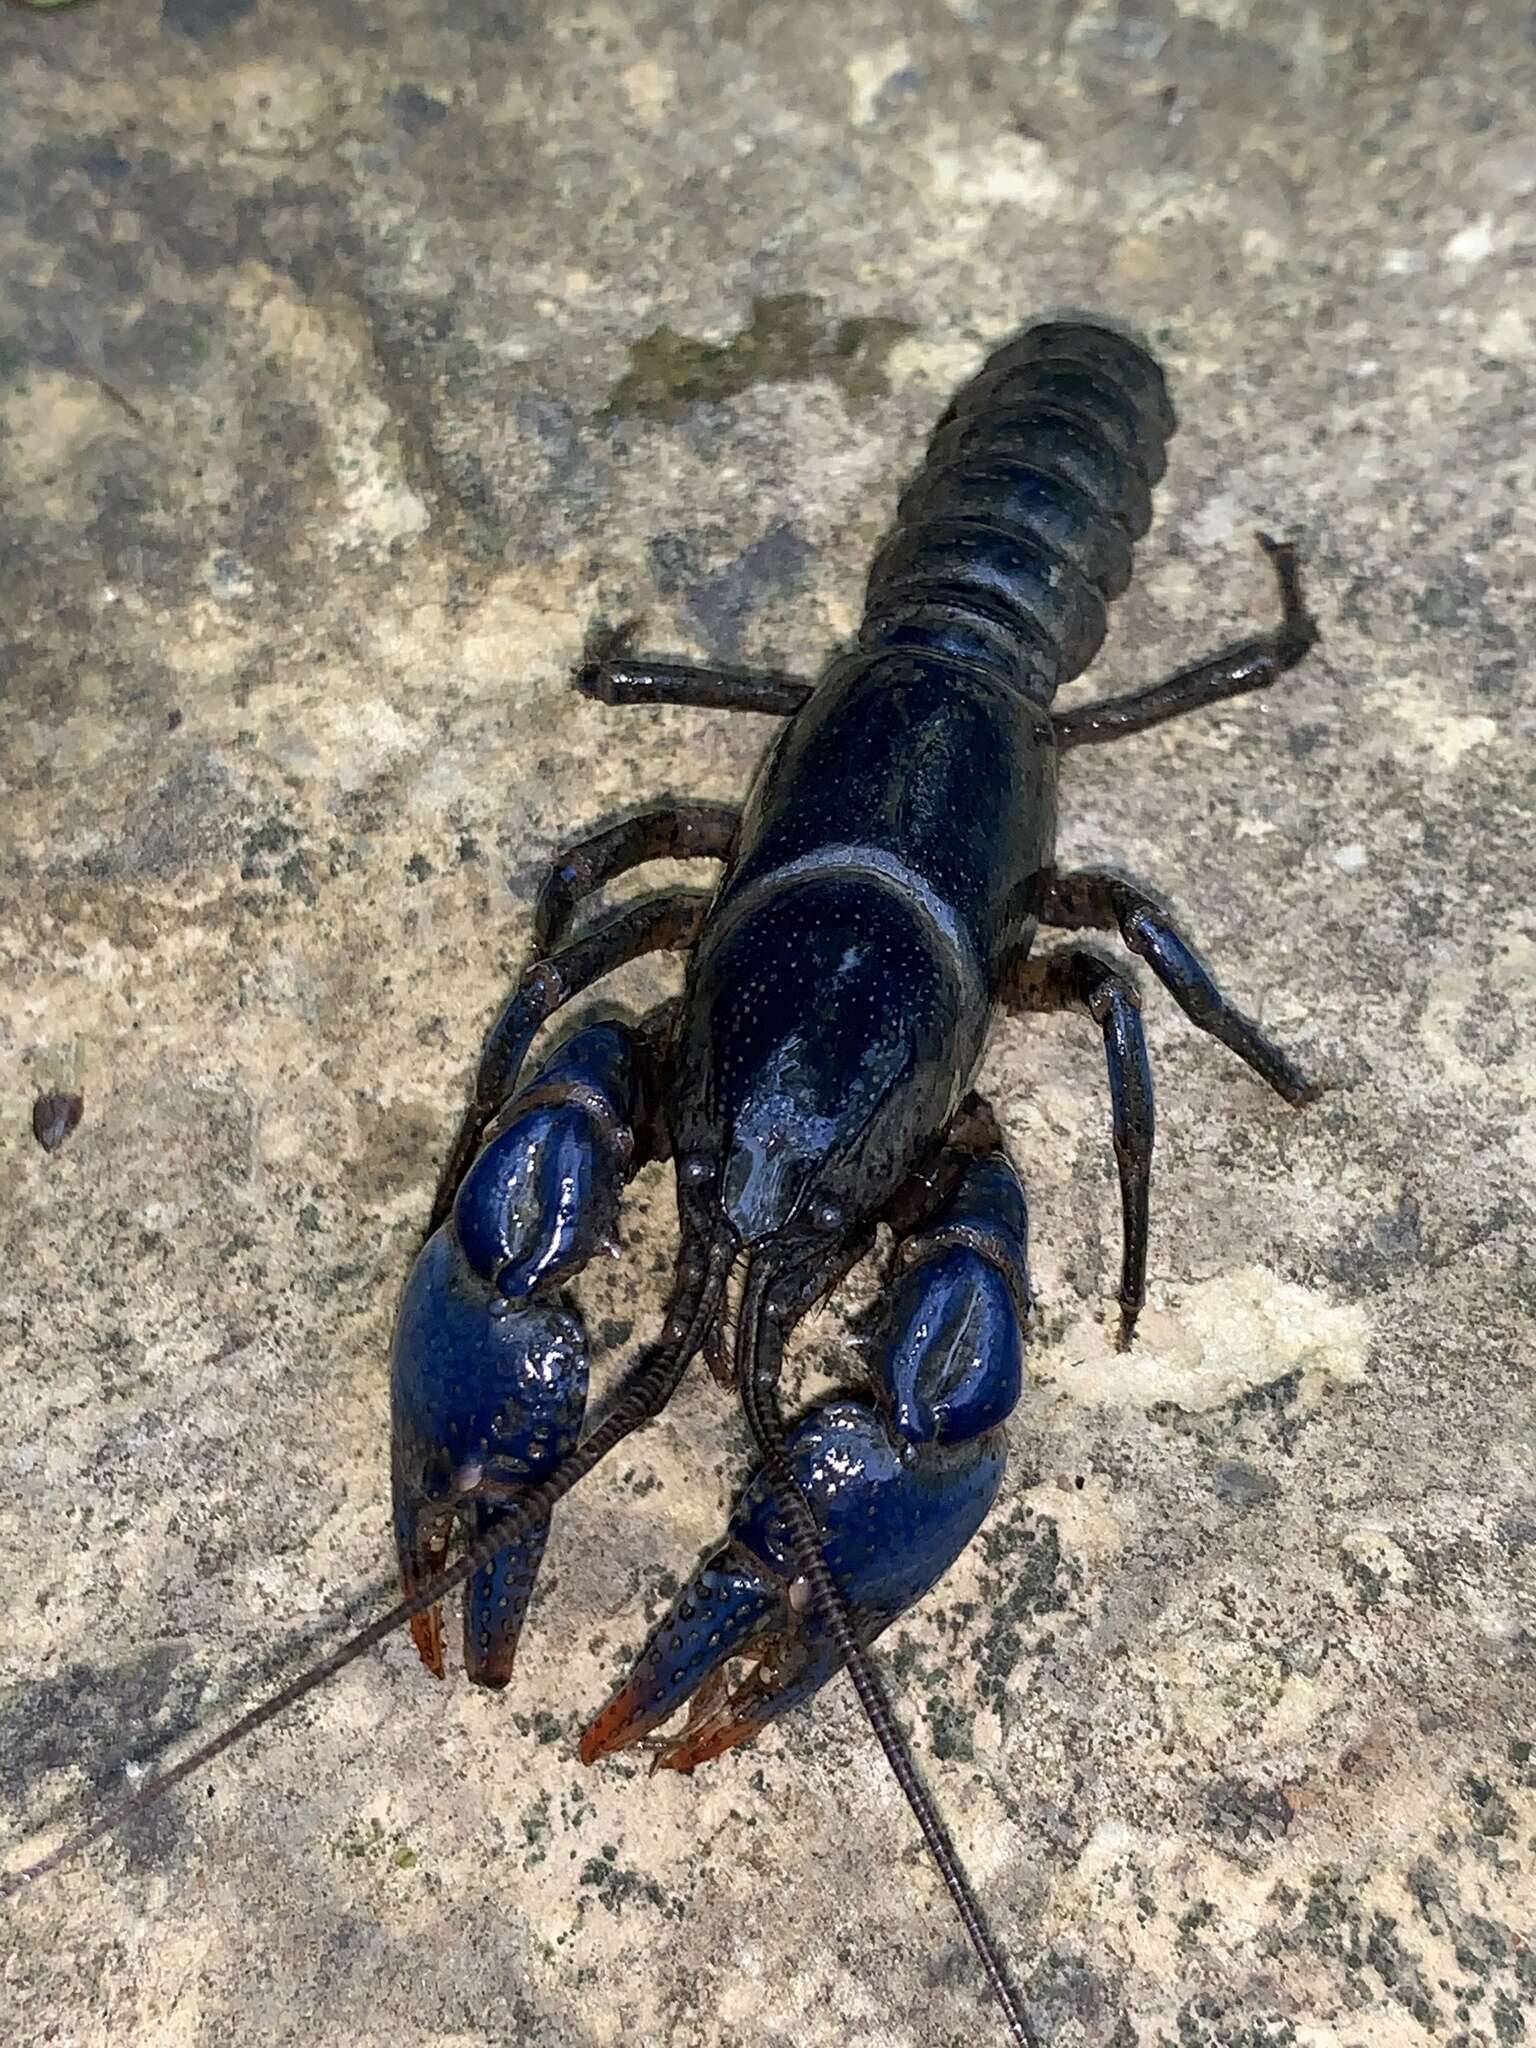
x: 355, y: 359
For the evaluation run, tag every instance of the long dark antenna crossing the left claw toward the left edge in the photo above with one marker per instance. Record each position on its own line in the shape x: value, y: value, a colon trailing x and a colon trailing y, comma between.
x: 650, y: 1390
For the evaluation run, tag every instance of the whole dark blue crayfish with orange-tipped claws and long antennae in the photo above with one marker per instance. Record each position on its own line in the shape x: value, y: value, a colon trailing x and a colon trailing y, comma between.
x: 880, y: 902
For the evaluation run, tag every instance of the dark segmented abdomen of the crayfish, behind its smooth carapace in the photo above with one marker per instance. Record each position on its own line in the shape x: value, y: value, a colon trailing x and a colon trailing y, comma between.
x: 1017, y: 531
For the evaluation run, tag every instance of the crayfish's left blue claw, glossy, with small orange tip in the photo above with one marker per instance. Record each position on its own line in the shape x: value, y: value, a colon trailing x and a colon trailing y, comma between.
x: 490, y: 1365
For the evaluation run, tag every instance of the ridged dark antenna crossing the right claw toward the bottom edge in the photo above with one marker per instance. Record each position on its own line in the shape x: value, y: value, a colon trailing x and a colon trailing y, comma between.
x: 759, y: 1361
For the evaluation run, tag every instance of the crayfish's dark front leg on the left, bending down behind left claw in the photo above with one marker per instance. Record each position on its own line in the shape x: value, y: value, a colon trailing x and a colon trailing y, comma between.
x: 658, y: 925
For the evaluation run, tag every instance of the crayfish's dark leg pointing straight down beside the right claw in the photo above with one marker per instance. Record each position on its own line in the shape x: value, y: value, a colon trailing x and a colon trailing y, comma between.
x: 1076, y: 980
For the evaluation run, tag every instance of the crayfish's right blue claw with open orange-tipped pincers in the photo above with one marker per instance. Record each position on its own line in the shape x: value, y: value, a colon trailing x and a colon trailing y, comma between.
x: 898, y: 1492
